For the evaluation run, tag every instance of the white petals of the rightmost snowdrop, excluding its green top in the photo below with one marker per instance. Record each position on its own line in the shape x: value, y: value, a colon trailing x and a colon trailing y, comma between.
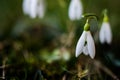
x: 105, y: 34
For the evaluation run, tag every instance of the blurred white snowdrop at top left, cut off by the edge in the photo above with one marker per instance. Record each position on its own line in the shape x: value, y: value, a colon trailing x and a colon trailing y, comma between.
x: 34, y: 8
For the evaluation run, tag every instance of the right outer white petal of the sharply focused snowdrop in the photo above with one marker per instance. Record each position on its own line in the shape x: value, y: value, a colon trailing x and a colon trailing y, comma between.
x: 91, y: 45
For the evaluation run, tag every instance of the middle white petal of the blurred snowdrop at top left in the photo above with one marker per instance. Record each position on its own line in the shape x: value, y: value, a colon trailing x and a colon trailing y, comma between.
x: 33, y: 8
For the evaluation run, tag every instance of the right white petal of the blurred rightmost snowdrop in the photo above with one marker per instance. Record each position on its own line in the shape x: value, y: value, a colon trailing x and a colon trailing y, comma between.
x: 108, y: 33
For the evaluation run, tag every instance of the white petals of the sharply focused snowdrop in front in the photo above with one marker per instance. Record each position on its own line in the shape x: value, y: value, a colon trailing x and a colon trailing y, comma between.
x: 86, y: 45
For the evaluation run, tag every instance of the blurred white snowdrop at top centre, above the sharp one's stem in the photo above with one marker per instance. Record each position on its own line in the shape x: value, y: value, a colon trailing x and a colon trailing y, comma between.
x: 75, y: 10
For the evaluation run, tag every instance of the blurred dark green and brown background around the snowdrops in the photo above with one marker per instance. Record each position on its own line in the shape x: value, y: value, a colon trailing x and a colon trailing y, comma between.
x: 31, y: 47
